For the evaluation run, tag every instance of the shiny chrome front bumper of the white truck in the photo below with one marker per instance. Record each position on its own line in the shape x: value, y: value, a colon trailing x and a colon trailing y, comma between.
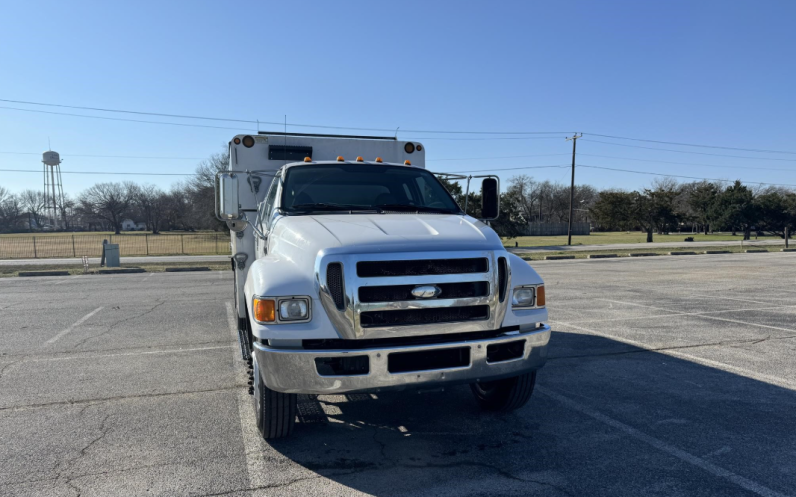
x: 295, y: 371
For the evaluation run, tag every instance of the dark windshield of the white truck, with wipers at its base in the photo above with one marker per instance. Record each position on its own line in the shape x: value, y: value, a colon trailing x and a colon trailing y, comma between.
x: 355, y: 187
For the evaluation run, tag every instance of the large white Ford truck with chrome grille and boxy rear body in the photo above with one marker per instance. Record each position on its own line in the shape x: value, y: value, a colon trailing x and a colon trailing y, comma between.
x: 356, y: 271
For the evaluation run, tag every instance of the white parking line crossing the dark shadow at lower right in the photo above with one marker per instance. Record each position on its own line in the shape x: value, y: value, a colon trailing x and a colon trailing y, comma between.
x: 684, y: 456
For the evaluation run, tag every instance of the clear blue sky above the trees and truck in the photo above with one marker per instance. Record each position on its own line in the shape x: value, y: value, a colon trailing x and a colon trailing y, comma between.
x: 707, y: 72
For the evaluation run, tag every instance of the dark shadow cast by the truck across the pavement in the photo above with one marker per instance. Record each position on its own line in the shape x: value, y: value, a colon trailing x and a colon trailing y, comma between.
x: 606, y: 418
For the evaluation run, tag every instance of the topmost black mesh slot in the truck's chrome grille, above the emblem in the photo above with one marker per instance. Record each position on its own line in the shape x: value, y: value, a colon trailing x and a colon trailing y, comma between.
x: 372, y: 269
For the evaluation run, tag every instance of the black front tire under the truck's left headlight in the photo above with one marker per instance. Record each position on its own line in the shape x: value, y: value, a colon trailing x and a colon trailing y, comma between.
x: 275, y: 412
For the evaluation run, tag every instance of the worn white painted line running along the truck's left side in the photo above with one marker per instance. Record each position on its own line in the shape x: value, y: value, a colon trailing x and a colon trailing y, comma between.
x: 253, y: 444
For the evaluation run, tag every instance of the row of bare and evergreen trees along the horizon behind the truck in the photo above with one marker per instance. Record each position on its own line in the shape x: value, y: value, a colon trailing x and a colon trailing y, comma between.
x: 666, y: 206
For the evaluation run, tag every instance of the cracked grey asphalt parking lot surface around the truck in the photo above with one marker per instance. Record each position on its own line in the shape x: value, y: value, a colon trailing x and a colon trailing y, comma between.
x: 667, y: 376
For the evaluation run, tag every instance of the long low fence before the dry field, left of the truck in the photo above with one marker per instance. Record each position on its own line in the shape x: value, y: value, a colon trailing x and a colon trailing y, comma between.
x: 32, y: 247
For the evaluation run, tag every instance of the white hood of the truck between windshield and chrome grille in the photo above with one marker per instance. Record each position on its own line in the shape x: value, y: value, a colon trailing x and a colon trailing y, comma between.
x: 353, y: 233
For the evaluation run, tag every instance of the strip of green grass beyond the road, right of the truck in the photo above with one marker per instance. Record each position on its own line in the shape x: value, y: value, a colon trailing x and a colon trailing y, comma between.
x: 623, y: 237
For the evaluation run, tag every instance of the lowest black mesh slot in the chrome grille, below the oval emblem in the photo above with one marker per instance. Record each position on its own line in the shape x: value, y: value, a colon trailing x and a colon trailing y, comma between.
x: 432, y: 315
